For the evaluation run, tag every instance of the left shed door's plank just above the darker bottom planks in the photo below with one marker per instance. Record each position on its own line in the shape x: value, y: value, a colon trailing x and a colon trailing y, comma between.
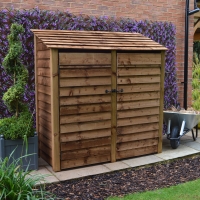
x: 68, y: 137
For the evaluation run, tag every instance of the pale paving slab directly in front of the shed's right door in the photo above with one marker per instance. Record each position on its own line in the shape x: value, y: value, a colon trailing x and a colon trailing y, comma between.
x: 143, y: 160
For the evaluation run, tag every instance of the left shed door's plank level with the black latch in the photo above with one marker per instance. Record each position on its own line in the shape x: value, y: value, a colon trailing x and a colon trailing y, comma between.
x: 79, y: 91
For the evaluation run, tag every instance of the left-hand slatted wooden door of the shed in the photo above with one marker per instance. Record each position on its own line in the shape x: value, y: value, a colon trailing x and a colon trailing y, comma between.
x: 85, y: 108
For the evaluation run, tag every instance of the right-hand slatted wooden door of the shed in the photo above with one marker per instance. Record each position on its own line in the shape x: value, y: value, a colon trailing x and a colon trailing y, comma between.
x: 138, y: 105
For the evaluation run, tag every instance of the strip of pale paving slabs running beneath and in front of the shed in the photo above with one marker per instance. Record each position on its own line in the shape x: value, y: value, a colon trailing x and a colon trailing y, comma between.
x: 187, y: 147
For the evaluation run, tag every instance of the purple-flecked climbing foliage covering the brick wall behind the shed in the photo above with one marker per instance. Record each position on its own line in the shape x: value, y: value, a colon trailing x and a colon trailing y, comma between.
x: 161, y: 32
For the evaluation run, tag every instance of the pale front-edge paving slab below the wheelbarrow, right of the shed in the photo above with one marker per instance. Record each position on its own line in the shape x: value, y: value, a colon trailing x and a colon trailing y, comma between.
x: 181, y: 151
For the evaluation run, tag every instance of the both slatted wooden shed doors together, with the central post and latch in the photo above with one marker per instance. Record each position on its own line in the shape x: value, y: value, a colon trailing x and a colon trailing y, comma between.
x: 109, y: 106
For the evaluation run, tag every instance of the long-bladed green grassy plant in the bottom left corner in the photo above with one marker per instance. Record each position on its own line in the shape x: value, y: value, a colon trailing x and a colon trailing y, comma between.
x: 16, y: 184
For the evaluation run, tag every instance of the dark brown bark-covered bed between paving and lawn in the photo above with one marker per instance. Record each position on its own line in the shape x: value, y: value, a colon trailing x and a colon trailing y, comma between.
x: 120, y: 183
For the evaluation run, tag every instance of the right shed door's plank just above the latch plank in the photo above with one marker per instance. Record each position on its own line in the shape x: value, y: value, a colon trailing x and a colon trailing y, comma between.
x: 138, y: 79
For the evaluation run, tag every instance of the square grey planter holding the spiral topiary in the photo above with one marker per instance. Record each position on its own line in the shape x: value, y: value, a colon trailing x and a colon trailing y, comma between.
x: 7, y: 147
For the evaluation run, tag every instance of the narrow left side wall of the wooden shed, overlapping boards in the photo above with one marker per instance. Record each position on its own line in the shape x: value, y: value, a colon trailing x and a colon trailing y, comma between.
x: 44, y: 101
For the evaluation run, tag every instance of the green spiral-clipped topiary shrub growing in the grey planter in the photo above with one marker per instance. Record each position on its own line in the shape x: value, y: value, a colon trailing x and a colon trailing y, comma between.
x: 20, y: 125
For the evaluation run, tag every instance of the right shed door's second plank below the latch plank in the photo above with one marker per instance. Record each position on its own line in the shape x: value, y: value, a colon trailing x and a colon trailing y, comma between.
x: 138, y: 104
